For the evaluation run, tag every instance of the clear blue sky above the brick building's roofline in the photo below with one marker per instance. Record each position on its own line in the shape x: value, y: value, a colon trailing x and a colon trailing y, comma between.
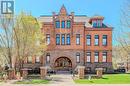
x: 110, y: 9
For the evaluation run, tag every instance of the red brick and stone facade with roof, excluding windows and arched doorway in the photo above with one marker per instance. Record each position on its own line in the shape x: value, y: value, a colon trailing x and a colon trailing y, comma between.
x: 82, y: 25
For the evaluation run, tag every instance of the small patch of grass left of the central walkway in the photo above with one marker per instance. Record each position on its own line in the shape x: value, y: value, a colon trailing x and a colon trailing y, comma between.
x: 34, y: 81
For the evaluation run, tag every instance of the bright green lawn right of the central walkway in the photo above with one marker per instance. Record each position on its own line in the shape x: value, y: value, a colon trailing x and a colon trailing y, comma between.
x: 107, y: 79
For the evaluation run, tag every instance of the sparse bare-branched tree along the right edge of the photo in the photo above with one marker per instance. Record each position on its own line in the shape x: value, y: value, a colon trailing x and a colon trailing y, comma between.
x: 124, y: 39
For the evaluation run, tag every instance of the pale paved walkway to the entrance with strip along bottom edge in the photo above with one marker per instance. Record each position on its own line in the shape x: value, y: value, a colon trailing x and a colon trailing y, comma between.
x: 61, y: 80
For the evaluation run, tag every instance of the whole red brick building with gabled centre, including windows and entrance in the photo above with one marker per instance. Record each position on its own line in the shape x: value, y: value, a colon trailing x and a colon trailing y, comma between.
x: 76, y: 40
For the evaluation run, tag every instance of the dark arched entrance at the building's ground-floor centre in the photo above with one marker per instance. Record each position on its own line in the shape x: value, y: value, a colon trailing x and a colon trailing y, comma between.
x: 63, y: 64
